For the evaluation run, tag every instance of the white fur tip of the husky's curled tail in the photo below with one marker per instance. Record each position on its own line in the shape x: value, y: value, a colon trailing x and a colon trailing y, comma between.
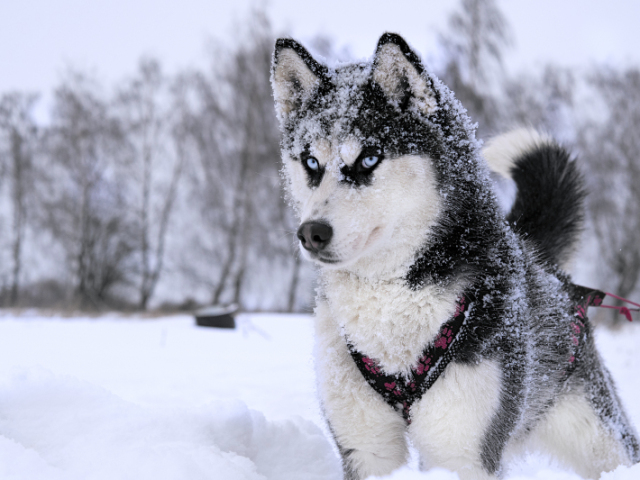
x: 502, y: 151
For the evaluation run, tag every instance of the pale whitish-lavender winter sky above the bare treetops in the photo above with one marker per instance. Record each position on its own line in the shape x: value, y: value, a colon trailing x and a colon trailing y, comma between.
x: 40, y: 38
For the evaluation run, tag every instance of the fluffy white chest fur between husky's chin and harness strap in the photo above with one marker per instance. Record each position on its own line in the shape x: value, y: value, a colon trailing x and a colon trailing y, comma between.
x: 385, y: 319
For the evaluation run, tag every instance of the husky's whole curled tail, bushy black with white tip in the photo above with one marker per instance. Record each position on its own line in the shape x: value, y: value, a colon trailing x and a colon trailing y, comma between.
x: 548, y: 209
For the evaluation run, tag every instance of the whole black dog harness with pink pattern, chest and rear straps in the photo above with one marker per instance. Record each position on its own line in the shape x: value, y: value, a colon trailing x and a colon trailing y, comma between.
x: 401, y: 391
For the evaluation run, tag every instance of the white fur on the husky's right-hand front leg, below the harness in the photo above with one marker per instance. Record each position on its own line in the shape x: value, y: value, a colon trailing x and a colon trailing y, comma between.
x: 451, y: 419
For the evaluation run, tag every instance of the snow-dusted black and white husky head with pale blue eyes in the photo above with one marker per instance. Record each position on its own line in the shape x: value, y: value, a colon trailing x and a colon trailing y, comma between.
x: 362, y: 145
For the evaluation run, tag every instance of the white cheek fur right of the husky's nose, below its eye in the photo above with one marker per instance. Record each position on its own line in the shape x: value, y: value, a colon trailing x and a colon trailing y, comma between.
x: 402, y: 197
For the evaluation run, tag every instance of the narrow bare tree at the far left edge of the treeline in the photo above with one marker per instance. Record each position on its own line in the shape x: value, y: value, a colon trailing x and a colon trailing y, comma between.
x: 18, y: 137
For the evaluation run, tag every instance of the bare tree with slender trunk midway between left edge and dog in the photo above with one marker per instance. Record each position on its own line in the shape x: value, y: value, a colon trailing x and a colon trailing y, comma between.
x: 144, y: 107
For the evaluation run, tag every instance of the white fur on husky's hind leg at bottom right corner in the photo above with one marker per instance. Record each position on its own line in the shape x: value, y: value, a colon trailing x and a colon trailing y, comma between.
x: 573, y: 433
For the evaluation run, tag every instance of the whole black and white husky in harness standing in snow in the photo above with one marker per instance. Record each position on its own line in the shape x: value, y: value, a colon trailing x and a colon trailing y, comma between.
x: 439, y: 320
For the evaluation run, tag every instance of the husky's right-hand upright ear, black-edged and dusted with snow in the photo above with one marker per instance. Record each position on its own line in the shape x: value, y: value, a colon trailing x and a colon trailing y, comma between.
x: 399, y: 72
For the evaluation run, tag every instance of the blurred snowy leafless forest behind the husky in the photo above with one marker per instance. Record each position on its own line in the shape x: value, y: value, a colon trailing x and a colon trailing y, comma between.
x: 163, y: 191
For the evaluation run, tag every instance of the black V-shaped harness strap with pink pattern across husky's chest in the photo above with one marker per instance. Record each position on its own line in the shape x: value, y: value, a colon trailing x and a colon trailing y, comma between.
x: 402, y: 391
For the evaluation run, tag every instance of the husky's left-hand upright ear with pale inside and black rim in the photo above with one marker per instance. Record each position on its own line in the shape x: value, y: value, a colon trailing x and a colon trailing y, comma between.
x: 294, y: 75
